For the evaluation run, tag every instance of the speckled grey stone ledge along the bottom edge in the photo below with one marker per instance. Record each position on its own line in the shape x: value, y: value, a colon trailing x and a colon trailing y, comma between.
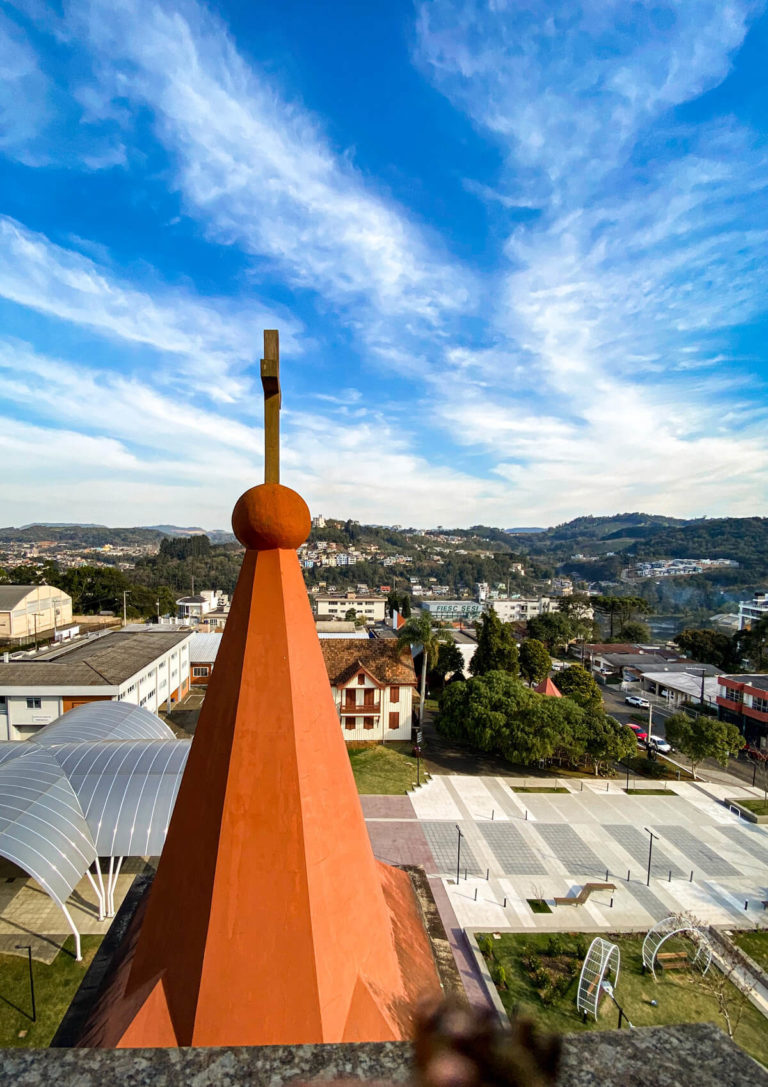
x: 697, y: 1055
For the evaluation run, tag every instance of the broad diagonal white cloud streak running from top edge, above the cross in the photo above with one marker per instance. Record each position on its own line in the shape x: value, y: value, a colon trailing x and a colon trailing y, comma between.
x: 258, y: 170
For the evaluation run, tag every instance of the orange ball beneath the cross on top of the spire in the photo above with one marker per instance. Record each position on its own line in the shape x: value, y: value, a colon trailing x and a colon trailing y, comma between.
x: 271, y: 517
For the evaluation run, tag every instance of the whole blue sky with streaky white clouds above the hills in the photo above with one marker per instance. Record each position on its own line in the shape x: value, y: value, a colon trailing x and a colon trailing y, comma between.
x: 517, y: 254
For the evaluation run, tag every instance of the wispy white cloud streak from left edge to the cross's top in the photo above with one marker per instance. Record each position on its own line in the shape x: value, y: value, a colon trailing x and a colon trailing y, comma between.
x: 209, y: 340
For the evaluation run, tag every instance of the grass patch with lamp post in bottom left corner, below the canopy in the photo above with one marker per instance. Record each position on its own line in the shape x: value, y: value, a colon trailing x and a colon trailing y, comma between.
x: 55, y: 988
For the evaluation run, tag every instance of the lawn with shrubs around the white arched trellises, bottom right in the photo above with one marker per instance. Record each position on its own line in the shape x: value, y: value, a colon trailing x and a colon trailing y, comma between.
x: 679, y: 994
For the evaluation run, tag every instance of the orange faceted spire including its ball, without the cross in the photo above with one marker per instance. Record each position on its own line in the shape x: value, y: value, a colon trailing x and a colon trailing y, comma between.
x: 270, y: 921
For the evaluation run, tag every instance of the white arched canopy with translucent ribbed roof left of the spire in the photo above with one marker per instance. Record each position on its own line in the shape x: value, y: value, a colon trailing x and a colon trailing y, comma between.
x: 102, y: 781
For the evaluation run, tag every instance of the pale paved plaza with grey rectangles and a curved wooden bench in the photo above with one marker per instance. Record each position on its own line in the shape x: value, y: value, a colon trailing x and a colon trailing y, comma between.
x: 519, y: 846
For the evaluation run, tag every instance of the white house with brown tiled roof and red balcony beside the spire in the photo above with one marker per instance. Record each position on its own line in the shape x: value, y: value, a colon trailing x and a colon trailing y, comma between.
x: 373, y: 684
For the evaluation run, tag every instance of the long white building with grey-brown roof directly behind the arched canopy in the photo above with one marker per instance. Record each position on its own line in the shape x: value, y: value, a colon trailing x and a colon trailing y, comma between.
x: 146, y: 669
